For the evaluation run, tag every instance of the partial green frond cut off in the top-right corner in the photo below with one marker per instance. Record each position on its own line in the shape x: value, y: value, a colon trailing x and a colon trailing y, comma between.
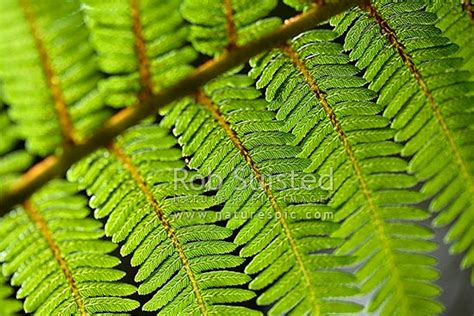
x: 457, y: 25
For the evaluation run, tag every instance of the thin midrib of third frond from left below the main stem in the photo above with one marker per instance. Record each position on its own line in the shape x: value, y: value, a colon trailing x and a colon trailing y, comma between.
x: 204, y: 100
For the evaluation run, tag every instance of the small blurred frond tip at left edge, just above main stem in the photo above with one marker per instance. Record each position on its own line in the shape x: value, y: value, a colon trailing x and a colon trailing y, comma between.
x: 12, y: 161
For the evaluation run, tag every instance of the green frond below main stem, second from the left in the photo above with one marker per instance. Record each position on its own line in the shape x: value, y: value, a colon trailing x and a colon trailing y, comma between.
x: 165, y: 222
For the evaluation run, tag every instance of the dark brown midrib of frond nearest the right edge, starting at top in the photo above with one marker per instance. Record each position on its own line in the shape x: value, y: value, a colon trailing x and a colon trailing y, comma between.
x: 408, y: 61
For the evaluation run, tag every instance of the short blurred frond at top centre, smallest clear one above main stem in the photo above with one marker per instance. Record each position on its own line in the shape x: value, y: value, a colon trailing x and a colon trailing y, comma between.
x: 225, y: 24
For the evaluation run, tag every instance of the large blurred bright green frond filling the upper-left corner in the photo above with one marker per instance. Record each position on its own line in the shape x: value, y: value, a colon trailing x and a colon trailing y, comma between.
x: 49, y: 73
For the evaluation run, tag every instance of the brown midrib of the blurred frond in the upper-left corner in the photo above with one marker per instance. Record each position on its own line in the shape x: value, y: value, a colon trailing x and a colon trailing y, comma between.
x: 65, y: 122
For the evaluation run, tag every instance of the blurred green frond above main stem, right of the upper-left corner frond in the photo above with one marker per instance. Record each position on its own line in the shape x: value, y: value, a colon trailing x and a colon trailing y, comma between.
x: 141, y: 44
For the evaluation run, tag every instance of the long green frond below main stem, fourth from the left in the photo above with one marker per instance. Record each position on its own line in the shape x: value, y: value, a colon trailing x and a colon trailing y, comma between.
x: 321, y: 100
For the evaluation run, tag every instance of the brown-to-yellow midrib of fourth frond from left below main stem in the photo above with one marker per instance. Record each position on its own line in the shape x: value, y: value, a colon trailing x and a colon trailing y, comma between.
x: 375, y: 215
